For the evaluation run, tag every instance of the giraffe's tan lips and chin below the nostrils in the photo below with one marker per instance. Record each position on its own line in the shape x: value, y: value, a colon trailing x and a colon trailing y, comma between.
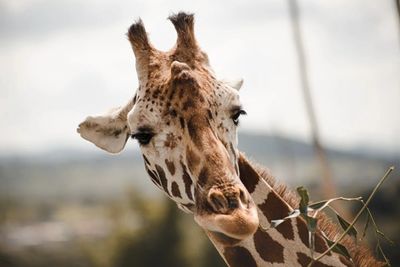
x: 230, y: 229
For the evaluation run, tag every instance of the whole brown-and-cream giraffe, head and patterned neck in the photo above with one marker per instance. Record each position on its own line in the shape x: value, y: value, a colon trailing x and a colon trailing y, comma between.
x: 185, y: 120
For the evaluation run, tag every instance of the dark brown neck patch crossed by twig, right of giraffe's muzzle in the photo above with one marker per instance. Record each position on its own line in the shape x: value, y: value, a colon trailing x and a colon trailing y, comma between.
x: 274, y: 208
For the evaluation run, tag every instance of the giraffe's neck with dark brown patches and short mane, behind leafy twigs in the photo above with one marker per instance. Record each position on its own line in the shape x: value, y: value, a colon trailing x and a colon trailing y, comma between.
x: 287, y: 244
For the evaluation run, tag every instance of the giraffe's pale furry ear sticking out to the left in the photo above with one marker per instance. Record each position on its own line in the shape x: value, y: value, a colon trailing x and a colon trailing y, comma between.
x: 109, y: 131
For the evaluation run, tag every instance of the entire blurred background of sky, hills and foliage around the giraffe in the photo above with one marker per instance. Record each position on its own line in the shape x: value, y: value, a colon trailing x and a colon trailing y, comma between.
x: 322, y: 93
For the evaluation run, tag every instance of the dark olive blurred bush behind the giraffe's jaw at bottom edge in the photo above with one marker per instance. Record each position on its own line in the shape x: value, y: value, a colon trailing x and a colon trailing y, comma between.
x: 161, y: 239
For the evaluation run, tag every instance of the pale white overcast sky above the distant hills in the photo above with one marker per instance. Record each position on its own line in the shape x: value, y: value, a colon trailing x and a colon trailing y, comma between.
x: 61, y: 61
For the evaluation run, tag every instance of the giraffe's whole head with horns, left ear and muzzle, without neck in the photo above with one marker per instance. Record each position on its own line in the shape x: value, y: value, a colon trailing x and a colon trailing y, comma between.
x: 185, y: 121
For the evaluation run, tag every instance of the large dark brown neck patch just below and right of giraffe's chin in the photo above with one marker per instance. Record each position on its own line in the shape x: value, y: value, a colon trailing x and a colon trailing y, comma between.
x: 268, y: 249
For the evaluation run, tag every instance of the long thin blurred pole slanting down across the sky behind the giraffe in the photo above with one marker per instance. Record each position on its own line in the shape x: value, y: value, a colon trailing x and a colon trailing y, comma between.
x: 327, y: 186
